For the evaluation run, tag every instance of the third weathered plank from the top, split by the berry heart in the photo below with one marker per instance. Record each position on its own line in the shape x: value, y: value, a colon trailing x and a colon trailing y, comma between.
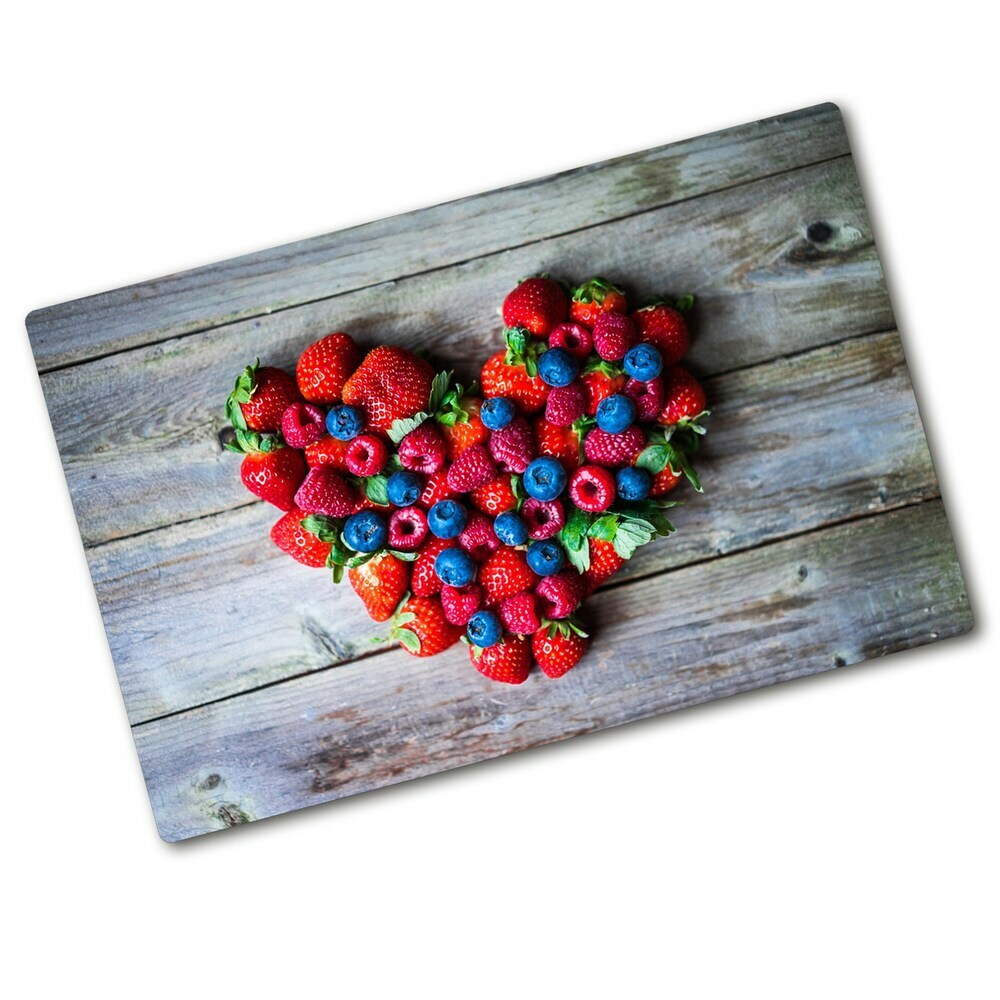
x: 815, y: 439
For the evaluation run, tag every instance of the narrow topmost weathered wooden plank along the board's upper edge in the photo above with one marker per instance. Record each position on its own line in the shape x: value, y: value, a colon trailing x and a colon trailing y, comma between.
x: 446, y: 234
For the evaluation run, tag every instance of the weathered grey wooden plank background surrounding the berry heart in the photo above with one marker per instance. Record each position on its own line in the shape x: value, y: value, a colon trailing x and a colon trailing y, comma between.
x: 820, y: 541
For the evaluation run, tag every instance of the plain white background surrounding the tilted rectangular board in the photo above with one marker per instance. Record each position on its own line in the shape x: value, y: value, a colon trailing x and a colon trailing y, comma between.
x: 834, y: 837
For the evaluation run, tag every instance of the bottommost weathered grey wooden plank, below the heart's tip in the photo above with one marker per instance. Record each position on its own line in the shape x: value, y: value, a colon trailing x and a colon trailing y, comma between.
x: 798, y: 607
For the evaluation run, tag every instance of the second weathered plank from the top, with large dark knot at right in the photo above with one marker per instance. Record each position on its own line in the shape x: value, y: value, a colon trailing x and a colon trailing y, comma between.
x: 149, y: 454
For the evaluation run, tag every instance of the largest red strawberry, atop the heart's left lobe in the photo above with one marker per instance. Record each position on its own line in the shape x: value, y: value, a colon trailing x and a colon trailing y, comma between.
x: 390, y: 384
